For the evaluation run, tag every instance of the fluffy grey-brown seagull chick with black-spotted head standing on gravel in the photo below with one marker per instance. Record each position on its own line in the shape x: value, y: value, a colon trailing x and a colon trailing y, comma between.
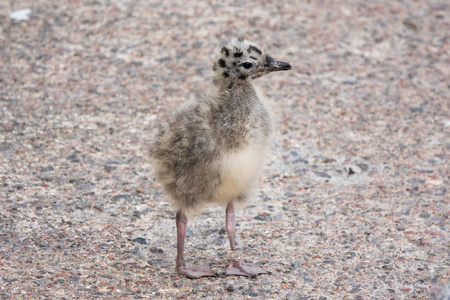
x: 212, y: 149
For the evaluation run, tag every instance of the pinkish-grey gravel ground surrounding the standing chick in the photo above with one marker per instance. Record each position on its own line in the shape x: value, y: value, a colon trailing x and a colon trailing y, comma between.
x: 353, y: 203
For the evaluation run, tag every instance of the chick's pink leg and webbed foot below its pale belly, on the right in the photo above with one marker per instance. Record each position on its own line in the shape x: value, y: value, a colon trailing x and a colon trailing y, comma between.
x: 236, y: 266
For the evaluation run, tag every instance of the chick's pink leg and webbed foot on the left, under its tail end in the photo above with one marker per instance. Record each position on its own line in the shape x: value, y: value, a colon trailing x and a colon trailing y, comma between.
x: 192, y: 272
